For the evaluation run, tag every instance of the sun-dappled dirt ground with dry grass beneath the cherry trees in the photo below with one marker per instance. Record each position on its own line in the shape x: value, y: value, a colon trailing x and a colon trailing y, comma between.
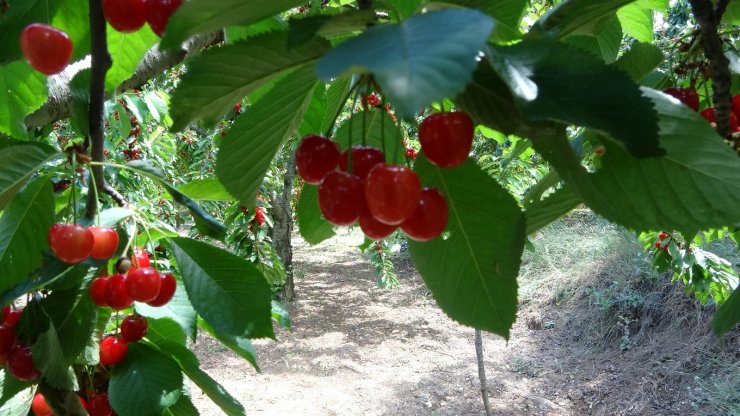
x: 359, y: 350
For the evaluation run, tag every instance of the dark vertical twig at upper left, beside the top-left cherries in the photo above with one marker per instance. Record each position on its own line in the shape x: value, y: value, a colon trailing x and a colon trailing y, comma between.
x: 101, y: 62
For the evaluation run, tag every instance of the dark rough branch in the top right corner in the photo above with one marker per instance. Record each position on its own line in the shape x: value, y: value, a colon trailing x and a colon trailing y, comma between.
x: 708, y: 19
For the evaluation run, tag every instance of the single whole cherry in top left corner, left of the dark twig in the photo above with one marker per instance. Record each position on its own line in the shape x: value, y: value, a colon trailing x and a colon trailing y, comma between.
x: 47, y: 49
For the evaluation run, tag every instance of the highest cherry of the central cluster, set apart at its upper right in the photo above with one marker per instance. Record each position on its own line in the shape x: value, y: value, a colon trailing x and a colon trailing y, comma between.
x: 446, y: 138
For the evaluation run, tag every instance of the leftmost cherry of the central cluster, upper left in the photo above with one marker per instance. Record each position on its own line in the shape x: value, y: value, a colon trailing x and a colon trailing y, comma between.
x: 315, y: 157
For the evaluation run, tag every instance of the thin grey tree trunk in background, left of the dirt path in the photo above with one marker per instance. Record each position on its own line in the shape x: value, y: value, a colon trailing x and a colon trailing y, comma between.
x: 282, y: 230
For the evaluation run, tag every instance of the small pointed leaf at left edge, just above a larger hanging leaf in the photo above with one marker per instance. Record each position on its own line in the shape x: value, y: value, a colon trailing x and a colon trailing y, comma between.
x: 18, y: 161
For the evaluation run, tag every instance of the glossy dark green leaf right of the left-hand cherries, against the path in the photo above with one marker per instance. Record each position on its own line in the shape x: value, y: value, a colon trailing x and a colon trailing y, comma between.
x: 227, y: 291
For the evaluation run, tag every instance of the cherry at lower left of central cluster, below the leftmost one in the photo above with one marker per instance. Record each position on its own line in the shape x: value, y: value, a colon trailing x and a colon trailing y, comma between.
x: 340, y: 197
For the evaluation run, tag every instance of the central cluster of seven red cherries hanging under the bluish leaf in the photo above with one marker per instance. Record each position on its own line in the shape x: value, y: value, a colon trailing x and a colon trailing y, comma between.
x: 381, y: 196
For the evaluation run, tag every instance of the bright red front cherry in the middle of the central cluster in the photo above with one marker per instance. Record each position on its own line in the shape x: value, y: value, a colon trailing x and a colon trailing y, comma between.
x: 392, y: 193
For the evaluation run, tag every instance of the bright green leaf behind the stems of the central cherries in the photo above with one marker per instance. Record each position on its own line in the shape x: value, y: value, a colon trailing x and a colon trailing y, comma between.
x: 377, y: 125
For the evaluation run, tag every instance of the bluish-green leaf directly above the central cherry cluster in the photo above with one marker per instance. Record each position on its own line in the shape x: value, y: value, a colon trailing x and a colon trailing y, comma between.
x: 424, y: 59
